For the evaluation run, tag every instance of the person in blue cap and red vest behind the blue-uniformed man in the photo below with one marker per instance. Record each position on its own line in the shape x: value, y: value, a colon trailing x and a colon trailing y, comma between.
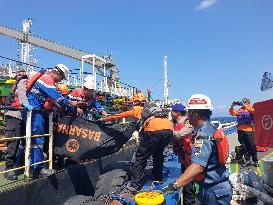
x: 182, y: 145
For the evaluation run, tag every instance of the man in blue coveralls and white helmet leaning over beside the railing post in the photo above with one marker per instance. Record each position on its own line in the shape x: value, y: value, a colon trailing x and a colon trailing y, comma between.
x: 38, y: 96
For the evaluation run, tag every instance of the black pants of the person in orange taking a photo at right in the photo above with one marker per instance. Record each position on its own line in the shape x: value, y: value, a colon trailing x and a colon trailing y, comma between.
x: 247, y: 141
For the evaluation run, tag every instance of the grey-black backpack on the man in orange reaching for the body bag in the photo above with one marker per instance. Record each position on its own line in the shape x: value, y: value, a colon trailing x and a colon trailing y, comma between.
x: 152, y: 110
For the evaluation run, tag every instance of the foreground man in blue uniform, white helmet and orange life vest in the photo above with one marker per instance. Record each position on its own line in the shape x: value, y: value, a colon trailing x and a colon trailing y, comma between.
x: 206, y: 168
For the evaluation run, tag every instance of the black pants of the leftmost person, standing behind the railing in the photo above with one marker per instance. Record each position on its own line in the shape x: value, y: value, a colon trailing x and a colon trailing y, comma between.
x: 14, y: 128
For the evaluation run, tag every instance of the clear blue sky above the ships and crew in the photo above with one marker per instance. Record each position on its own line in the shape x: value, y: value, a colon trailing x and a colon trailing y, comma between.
x: 215, y: 47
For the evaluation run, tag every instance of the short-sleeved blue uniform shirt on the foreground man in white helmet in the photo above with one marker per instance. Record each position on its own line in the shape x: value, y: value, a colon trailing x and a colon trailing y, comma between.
x: 205, y: 153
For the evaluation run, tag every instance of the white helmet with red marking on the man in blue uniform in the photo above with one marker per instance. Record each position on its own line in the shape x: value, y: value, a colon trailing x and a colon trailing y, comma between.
x: 199, y: 102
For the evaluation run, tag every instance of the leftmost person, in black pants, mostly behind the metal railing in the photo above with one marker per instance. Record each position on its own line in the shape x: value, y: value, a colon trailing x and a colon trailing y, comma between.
x: 15, y: 126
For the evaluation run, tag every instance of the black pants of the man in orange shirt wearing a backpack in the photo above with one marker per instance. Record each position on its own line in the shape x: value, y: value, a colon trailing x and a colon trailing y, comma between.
x: 151, y: 144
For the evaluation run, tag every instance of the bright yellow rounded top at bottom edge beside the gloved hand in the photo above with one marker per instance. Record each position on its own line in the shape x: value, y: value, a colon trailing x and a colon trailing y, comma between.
x: 149, y: 198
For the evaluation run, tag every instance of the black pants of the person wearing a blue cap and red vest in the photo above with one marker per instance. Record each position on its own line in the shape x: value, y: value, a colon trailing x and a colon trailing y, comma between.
x: 188, y: 191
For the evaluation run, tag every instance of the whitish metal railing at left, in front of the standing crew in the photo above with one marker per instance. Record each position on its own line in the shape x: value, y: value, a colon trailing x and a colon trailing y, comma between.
x: 28, y: 138
